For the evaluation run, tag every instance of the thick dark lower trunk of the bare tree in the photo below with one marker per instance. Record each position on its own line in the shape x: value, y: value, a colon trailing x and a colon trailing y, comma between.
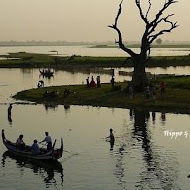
x: 139, y: 77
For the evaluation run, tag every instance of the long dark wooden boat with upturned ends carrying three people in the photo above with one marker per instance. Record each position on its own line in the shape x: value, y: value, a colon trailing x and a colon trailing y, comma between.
x: 53, y: 154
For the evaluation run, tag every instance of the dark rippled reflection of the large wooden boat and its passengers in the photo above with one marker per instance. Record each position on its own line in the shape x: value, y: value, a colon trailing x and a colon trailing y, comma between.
x: 46, y: 170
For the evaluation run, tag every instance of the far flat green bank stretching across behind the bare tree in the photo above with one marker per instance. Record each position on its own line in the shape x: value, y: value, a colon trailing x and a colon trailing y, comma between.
x: 23, y: 59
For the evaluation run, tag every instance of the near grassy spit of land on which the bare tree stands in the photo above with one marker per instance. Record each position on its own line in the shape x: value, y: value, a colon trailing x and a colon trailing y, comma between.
x: 176, y: 98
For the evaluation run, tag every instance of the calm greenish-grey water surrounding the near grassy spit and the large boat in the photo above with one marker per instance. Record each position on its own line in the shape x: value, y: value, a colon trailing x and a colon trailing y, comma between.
x: 144, y: 157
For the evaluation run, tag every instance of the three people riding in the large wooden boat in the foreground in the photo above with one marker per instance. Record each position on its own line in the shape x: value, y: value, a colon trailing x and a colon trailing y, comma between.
x: 35, y: 149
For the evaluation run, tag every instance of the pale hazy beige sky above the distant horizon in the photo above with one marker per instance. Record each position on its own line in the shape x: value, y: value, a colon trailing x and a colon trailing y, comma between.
x: 81, y: 20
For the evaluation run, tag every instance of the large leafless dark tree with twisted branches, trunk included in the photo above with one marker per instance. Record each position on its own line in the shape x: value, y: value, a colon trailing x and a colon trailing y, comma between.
x: 139, y: 77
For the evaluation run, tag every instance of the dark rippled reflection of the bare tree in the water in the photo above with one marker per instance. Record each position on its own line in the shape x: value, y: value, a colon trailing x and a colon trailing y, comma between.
x: 161, y: 168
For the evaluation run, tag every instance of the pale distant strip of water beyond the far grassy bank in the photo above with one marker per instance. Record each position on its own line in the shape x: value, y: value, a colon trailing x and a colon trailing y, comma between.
x: 86, y: 51
